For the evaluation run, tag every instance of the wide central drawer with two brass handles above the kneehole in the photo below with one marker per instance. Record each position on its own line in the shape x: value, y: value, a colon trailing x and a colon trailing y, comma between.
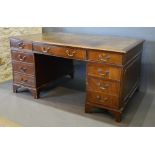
x: 66, y: 52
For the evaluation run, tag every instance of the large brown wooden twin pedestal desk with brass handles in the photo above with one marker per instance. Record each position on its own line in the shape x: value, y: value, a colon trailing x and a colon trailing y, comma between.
x: 112, y: 66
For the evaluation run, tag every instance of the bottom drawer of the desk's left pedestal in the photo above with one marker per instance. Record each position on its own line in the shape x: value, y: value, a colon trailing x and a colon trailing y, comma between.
x: 24, y: 80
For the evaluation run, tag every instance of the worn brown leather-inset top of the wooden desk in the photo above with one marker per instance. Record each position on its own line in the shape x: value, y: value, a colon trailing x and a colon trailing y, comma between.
x: 85, y: 41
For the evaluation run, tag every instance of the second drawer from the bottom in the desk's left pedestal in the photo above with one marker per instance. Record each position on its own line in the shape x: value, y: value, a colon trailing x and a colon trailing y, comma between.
x: 23, y: 68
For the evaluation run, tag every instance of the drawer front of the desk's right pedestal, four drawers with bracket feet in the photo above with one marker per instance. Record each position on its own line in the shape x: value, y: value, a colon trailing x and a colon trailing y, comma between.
x: 104, y: 74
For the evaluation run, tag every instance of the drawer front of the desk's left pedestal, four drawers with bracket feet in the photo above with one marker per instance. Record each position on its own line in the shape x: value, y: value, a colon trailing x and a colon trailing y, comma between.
x: 23, y: 65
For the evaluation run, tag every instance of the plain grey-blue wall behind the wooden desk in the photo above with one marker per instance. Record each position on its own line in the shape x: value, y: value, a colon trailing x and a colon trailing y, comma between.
x: 146, y: 33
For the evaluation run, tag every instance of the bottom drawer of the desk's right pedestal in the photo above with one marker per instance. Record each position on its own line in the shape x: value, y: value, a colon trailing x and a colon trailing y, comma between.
x: 102, y: 99
